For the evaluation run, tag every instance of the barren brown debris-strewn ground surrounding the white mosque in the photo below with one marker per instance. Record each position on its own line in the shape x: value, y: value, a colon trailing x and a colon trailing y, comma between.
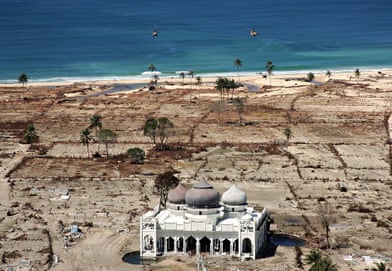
x: 337, y: 159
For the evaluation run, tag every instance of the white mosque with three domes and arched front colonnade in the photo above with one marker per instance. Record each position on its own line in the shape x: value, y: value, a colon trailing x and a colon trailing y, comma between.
x: 199, y: 222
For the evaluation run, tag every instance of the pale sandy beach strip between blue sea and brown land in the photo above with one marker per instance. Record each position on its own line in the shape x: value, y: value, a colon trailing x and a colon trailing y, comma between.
x: 249, y: 77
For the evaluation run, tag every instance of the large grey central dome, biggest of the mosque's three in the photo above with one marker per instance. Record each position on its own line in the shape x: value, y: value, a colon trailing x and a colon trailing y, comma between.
x: 202, y: 195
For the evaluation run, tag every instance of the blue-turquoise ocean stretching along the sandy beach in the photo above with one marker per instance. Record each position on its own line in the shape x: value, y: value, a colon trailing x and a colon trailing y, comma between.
x: 71, y: 40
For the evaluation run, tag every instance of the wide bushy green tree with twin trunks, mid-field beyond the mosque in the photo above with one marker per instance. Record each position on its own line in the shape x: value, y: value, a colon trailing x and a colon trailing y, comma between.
x: 161, y: 129
